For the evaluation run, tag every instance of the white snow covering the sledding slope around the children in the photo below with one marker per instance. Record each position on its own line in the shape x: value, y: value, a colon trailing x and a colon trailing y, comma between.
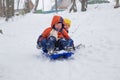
x: 98, y: 29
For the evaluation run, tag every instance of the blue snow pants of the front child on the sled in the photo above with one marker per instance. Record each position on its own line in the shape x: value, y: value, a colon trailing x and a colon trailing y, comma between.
x: 52, y: 43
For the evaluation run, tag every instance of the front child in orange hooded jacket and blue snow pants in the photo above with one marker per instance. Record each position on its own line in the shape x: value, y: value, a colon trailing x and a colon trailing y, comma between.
x: 55, y: 37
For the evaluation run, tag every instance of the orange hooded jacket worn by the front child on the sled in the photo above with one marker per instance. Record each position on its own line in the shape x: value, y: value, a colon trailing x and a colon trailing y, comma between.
x: 62, y: 34
